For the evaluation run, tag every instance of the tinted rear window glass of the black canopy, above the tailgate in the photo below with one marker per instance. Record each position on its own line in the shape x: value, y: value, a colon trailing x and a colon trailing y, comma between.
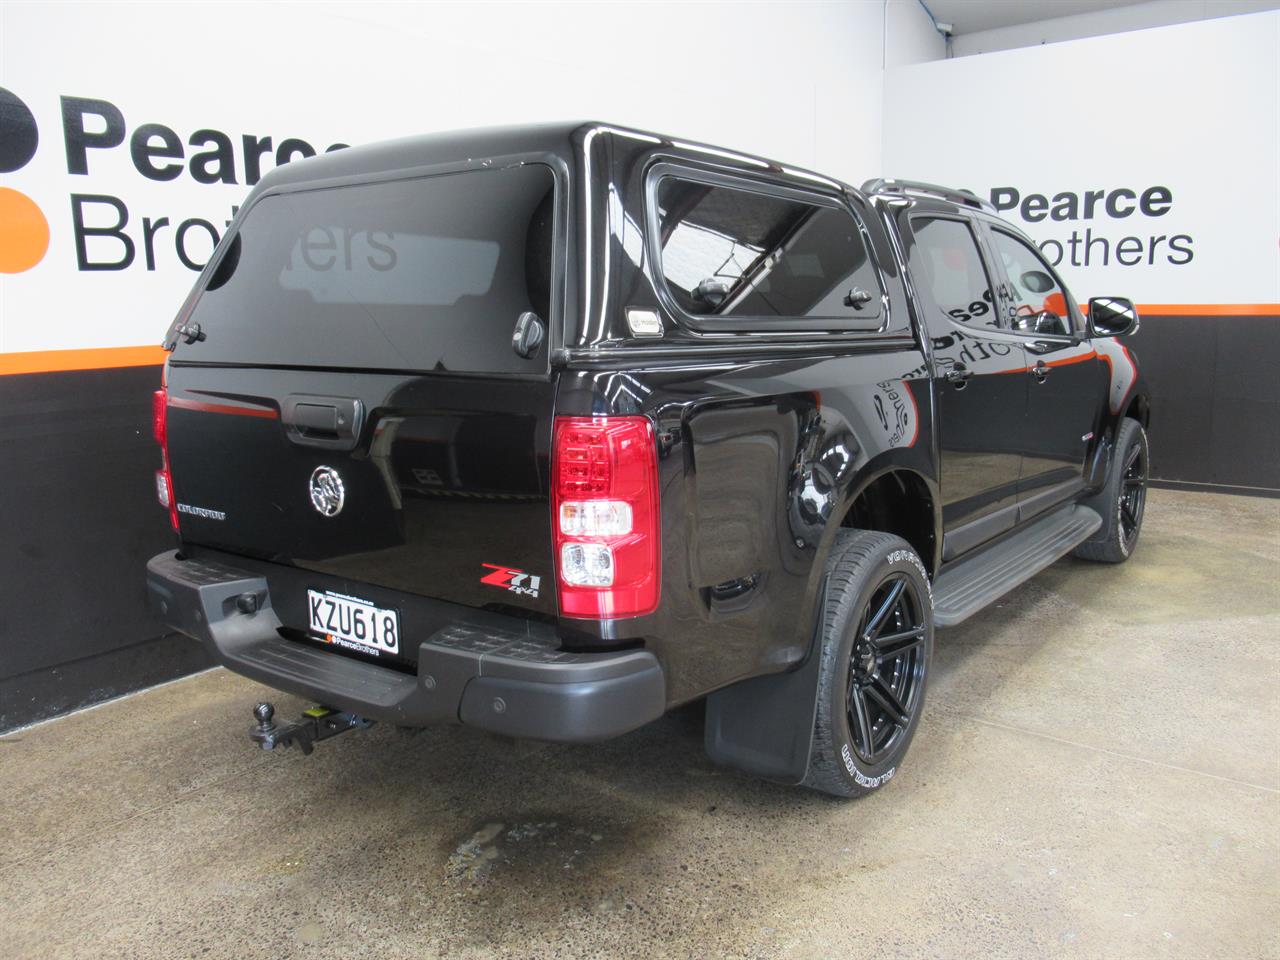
x: 420, y: 275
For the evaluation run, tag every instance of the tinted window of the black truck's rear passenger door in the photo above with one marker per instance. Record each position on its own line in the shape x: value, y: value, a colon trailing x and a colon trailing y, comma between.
x: 947, y: 260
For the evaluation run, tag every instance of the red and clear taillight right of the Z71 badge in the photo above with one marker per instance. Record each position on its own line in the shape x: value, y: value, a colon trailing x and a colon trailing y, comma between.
x: 605, y: 509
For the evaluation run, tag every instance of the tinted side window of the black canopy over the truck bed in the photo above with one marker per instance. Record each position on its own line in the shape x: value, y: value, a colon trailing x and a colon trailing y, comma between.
x: 732, y: 253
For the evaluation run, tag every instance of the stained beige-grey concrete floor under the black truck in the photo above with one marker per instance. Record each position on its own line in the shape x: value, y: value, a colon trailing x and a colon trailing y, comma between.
x: 1098, y: 775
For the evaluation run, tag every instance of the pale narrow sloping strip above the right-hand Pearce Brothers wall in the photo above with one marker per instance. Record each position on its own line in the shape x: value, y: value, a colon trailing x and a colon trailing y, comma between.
x: 1098, y: 24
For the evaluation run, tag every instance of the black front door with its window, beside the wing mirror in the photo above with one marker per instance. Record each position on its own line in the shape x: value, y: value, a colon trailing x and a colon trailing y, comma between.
x: 1066, y: 382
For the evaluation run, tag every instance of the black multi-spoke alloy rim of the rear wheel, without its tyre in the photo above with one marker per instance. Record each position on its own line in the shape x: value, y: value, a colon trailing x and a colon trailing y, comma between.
x: 886, y: 669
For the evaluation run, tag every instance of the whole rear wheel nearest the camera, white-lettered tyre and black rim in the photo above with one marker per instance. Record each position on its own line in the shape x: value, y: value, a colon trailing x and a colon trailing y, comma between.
x: 876, y: 644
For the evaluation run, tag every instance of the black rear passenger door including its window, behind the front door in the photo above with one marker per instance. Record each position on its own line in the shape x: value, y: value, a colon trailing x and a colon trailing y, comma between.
x: 981, y: 385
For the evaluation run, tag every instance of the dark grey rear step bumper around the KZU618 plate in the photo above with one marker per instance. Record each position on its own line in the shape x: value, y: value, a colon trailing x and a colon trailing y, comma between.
x: 486, y: 671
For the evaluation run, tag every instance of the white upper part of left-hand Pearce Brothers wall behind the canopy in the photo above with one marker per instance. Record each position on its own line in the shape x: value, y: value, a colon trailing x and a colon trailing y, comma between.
x: 801, y: 83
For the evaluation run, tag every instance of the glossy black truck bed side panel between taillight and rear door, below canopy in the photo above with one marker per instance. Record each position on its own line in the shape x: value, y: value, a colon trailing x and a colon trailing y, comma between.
x: 758, y: 463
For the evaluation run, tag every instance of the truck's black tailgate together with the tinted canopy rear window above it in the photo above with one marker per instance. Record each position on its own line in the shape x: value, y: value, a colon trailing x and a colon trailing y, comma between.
x: 353, y: 404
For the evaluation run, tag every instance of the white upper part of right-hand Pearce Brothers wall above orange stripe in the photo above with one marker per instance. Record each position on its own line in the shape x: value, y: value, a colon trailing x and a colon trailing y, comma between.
x: 1194, y: 108
